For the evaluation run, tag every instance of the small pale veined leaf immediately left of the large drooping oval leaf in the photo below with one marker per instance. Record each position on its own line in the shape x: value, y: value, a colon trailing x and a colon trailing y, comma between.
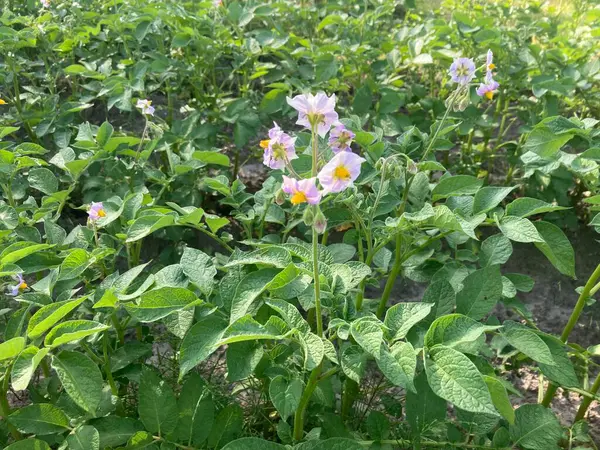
x: 399, y: 364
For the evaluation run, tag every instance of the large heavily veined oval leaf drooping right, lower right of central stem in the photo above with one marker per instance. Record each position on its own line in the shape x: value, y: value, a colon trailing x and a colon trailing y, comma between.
x: 453, y: 377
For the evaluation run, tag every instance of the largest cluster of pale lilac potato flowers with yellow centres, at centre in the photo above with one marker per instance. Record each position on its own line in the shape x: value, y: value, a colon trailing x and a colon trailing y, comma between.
x: 316, y: 113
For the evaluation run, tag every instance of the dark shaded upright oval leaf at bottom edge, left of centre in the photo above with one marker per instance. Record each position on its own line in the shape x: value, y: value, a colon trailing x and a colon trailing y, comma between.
x: 196, y: 412
